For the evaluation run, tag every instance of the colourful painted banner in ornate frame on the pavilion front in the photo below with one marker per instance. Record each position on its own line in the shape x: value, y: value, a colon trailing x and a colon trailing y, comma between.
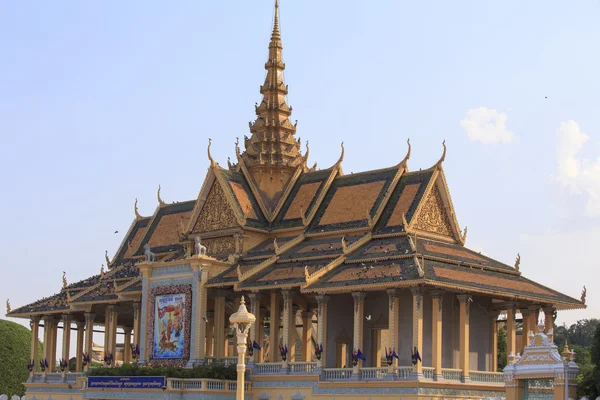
x: 169, y: 325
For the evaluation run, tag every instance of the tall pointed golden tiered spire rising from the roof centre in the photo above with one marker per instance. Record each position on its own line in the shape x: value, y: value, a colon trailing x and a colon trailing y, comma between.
x: 272, y: 153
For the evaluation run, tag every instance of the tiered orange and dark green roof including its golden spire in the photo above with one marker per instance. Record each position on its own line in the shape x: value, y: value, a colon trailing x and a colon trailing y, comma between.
x: 322, y: 231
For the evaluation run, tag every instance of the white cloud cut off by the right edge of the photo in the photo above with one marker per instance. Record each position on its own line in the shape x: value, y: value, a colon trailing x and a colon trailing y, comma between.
x: 577, y: 174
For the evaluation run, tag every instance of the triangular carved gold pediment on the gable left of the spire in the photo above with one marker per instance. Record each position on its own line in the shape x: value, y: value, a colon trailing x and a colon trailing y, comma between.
x: 216, y: 213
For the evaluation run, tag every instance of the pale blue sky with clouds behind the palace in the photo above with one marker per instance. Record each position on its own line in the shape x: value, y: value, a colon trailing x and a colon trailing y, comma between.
x: 102, y: 102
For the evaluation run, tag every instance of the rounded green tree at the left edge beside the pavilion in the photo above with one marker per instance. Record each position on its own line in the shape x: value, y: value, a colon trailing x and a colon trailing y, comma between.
x: 15, y: 344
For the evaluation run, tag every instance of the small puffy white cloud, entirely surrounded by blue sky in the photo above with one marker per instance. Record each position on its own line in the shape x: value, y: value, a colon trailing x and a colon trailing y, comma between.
x: 486, y: 126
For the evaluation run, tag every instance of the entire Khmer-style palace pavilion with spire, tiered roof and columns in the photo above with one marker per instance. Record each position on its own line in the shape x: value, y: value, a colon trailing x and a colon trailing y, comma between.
x: 345, y: 273
